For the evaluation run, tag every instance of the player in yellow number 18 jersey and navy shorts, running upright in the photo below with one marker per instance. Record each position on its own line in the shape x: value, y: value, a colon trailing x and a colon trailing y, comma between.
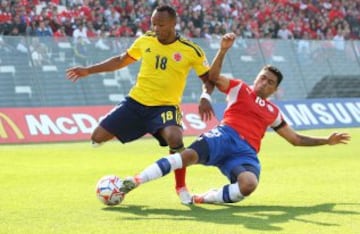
x: 152, y: 105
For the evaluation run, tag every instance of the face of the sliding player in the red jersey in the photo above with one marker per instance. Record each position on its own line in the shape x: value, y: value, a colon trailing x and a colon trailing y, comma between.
x: 265, y: 84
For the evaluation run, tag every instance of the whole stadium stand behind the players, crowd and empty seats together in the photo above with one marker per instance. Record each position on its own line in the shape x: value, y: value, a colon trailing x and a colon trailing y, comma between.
x: 308, y: 40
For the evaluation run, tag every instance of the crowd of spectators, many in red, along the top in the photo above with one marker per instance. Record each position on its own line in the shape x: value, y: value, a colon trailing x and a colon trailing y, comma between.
x: 283, y: 19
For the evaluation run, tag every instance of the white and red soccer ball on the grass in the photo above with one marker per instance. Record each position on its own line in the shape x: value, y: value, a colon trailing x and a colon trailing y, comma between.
x: 108, y: 190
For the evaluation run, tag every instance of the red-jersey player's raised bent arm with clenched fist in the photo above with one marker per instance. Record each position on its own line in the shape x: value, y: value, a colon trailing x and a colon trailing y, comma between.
x: 221, y: 82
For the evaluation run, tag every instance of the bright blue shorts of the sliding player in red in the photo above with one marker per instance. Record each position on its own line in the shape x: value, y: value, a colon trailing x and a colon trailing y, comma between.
x: 222, y: 147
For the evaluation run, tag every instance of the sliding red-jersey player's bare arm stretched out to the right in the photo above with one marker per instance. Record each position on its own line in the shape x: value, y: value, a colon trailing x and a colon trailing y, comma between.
x: 297, y: 139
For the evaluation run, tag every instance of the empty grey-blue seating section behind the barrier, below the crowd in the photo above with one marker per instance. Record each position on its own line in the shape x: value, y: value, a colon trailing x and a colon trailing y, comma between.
x: 24, y: 82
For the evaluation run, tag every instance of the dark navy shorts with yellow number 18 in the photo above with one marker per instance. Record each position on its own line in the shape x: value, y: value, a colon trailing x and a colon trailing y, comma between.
x: 130, y: 120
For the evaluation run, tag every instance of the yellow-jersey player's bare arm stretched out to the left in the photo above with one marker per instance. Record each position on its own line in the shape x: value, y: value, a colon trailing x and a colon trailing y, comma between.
x: 108, y: 65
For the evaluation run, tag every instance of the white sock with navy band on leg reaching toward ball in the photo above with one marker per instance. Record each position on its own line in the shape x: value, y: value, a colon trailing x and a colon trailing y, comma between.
x: 154, y: 171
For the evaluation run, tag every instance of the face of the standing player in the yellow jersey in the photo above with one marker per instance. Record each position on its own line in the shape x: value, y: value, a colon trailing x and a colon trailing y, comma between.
x: 164, y: 27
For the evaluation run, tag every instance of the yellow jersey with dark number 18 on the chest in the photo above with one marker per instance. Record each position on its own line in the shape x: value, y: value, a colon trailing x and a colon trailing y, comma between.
x: 164, y: 69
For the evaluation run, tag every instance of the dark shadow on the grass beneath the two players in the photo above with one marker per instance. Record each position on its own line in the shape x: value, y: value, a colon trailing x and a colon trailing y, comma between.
x: 252, y: 217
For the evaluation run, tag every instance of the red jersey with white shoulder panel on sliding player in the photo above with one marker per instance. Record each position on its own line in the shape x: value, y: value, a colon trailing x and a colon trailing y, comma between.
x: 249, y: 114
